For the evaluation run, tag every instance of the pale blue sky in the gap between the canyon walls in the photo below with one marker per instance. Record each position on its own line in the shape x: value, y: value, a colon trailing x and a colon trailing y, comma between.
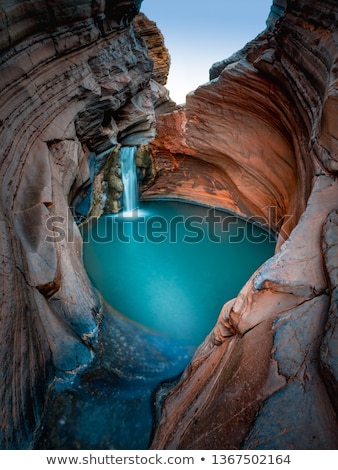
x: 200, y: 33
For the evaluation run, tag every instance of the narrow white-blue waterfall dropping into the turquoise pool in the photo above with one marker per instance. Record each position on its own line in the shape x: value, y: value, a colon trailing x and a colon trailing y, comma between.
x: 129, y: 179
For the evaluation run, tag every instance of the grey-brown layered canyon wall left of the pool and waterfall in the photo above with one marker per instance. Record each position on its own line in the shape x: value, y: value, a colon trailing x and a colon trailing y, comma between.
x: 76, y: 79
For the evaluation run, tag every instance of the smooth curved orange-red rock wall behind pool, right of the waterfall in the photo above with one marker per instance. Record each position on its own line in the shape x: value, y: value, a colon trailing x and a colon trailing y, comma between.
x: 245, y: 146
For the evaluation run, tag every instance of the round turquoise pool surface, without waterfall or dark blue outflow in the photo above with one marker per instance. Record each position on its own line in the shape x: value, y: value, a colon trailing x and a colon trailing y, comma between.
x: 174, y: 266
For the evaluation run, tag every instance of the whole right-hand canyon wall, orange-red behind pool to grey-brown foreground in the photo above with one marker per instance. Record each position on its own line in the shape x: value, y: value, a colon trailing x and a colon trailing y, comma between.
x: 263, y: 134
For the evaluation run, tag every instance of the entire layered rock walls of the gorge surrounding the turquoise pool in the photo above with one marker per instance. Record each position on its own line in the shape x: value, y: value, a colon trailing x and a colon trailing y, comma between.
x: 260, y: 139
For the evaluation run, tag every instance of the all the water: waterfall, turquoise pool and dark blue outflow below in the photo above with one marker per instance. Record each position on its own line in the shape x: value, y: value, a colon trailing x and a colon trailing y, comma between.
x: 169, y: 268
